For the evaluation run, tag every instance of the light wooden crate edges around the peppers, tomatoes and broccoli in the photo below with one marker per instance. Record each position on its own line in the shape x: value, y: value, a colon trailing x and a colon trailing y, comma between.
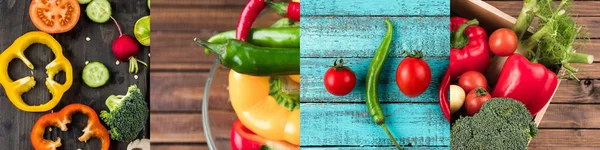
x: 490, y: 19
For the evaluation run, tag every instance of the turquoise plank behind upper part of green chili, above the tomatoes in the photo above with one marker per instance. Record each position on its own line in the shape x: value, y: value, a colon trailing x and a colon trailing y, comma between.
x: 361, y: 36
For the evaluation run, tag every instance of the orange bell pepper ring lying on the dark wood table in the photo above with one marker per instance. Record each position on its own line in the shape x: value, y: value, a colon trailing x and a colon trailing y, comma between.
x: 60, y: 119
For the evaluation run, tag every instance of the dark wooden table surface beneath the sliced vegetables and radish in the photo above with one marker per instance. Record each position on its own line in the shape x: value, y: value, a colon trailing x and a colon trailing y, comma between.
x: 15, y: 125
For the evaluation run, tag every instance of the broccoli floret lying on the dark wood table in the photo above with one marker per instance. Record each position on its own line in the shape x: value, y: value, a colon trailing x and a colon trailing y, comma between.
x: 127, y: 116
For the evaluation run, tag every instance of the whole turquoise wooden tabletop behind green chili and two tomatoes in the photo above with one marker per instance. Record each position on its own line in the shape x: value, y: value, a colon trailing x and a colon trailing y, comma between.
x: 353, y: 30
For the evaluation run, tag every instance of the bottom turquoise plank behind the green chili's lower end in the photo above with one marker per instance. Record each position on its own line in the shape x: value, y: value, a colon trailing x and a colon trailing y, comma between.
x: 341, y: 124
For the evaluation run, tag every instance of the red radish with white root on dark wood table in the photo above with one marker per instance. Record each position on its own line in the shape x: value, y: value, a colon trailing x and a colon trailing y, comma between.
x: 126, y: 48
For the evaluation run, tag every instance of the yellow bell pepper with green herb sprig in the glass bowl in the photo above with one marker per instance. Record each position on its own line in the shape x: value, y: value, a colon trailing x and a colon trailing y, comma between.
x: 267, y: 106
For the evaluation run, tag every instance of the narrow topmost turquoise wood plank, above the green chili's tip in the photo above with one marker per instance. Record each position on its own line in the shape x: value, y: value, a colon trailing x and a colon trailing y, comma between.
x: 376, y: 7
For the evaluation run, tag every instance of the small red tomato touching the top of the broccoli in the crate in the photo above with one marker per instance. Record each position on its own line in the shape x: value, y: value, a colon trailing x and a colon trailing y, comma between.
x: 475, y: 99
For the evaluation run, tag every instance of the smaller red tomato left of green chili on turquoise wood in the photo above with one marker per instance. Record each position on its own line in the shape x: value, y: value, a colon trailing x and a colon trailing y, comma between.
x: 339, y: 80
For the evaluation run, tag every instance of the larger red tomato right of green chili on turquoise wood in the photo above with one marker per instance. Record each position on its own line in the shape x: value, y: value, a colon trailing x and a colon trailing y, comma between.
x: 413, y: 76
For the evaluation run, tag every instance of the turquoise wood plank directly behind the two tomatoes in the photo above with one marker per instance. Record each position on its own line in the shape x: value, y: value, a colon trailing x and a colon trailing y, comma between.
x: 313, y: 90
